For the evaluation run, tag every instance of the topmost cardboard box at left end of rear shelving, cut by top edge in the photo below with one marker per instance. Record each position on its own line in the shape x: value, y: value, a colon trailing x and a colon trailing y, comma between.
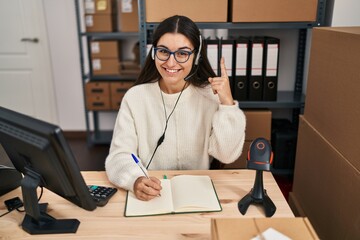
x: 100, y: 6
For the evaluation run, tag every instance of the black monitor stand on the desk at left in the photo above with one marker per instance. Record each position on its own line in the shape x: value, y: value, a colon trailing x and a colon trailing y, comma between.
x: 36, y: 220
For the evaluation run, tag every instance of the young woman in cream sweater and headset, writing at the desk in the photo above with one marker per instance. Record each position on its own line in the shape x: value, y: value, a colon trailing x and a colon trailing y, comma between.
x: 179, y: 115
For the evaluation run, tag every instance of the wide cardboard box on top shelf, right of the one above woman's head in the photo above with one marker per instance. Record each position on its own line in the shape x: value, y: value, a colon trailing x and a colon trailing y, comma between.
x: 274, y: 11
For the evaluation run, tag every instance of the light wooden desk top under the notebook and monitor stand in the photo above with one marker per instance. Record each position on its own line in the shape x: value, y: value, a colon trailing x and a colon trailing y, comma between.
x: 109, y: 221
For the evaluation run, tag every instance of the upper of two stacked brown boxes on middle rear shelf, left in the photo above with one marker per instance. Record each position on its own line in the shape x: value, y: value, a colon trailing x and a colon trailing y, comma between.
x: 104, y: 49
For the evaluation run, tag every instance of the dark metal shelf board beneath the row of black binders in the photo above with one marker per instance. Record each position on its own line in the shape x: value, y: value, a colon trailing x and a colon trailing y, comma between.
x: 285, y: 99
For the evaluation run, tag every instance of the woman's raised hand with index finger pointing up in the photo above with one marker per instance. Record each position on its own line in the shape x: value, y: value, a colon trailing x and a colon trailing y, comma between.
x: 221, y: 85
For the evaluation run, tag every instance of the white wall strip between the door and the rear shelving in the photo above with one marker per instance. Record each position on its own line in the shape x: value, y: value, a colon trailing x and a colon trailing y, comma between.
x: 64, y: 51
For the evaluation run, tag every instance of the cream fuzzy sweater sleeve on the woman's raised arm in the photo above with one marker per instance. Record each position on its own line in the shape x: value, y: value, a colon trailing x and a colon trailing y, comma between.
x: 228, y: 133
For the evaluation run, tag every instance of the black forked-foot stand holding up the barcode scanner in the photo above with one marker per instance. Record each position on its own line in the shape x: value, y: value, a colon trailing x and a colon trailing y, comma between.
x: 257, y: 195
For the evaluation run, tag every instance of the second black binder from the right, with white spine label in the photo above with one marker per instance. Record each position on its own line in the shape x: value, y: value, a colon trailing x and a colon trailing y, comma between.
x: 256, y: 72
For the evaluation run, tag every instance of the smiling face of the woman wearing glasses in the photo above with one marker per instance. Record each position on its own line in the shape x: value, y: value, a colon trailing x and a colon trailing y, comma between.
x: 171, y: 71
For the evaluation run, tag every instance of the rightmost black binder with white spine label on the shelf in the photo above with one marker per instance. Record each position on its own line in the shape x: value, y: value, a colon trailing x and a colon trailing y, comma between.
x: 271, y: 66
